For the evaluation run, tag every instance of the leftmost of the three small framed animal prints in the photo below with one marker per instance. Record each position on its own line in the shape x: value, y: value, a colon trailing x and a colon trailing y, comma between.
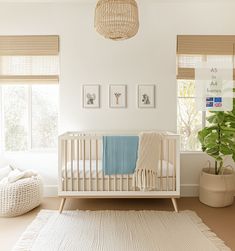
x: 91, y: 96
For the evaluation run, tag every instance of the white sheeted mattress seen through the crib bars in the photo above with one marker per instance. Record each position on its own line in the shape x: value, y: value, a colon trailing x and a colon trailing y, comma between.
x: 91, y: 168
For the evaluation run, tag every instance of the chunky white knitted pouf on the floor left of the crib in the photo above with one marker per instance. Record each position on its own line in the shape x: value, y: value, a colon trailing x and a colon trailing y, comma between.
x: 20, y: 197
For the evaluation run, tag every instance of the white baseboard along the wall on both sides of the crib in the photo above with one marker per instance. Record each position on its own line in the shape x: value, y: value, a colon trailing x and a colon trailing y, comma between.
x: 187, y: 190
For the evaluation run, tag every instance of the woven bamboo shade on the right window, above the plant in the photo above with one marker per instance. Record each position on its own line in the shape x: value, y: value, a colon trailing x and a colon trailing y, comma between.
x: 192, y: 49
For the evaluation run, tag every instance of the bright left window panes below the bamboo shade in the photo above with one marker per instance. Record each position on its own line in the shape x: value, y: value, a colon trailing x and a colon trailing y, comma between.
x: 29, y: 117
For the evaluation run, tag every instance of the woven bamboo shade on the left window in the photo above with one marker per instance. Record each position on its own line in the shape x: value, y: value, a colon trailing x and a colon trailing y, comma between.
x: 29, y: 59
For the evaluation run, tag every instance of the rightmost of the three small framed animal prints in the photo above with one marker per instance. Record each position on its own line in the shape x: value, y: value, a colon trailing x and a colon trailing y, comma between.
x: 146, y: 96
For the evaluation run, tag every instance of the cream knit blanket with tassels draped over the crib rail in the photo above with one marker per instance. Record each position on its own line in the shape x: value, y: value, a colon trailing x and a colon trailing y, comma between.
x: 148, y: 160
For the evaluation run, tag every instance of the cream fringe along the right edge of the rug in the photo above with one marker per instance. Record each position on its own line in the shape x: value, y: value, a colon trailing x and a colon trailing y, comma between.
x: 207, y: 231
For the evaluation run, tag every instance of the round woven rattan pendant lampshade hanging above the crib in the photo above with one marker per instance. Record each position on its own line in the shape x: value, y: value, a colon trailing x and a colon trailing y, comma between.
x: 117, y: 19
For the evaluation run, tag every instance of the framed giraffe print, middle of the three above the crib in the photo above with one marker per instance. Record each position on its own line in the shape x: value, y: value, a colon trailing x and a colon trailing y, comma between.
x: 117, y: 96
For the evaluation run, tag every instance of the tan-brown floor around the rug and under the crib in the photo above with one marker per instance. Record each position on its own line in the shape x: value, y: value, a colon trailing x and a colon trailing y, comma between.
x: 220, y: 220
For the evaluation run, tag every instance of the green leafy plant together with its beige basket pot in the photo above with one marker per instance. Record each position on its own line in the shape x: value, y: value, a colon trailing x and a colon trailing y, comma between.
x: 217, y: 184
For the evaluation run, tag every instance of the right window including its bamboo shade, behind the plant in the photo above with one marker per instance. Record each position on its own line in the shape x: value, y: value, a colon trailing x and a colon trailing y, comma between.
x: 193, y: 49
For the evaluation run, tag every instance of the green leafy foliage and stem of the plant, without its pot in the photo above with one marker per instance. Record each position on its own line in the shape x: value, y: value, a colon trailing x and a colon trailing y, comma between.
x: 218, y: 138
